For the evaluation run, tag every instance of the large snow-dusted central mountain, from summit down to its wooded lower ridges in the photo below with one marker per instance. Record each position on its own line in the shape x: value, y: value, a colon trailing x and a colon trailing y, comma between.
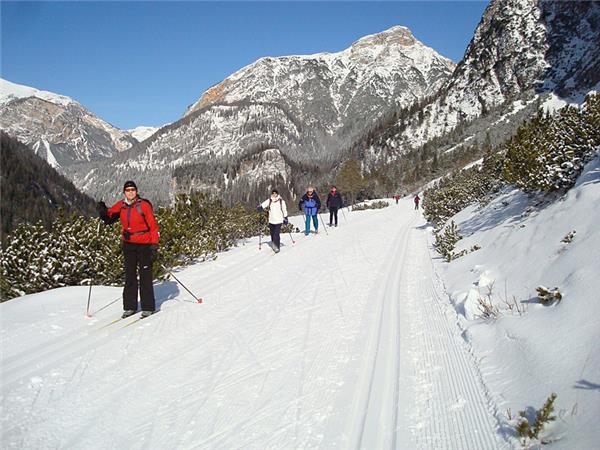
x: 308, y: 107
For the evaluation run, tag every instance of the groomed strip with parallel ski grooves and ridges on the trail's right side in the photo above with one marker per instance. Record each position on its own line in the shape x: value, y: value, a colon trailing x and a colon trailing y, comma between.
x: 421, y: 386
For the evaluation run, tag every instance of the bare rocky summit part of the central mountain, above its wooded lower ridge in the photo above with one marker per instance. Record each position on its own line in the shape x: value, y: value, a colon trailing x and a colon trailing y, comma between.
x: 386, y: 56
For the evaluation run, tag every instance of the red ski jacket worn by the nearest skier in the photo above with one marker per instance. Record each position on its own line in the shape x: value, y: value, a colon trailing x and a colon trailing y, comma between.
x: 137, y: 221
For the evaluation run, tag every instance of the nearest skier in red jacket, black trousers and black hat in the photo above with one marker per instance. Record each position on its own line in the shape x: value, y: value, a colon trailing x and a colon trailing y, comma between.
x: 139, y: 235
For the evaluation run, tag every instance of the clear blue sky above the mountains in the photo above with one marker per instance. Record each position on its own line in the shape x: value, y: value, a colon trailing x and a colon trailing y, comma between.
x: 143, y: 63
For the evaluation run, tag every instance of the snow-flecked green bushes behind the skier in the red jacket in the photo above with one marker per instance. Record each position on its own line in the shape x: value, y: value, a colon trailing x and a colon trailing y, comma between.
x: 78, y: 250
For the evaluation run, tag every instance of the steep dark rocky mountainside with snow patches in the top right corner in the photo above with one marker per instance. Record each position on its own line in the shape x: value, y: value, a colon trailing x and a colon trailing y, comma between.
x: 520, y: 49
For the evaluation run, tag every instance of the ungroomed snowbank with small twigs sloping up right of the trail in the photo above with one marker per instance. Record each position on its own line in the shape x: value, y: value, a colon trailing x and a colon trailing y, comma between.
x: 545, y: 349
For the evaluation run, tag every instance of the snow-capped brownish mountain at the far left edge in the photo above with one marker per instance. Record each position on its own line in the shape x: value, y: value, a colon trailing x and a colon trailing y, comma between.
x: 59, y: 129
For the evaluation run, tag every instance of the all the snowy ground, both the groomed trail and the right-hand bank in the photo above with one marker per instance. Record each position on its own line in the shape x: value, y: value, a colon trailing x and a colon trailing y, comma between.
x: 360, y: 337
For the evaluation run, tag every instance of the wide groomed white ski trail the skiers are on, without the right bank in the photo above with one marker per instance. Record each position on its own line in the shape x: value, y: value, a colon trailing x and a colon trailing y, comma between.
x: 345, y: 340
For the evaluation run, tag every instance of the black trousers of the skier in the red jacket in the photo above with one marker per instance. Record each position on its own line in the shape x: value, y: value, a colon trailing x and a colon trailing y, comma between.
x: 138, y: 259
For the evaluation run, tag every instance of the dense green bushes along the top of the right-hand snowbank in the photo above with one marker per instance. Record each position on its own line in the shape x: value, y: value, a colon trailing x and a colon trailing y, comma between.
x: 548, y: 154
